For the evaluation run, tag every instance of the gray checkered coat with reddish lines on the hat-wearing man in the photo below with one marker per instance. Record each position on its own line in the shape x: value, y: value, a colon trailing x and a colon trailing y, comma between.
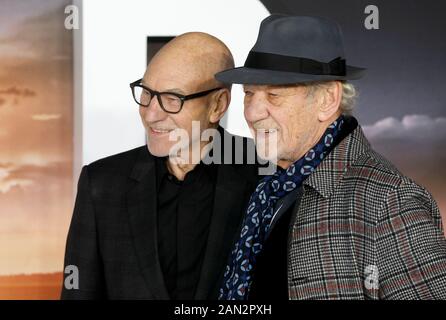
x: 362, y: 230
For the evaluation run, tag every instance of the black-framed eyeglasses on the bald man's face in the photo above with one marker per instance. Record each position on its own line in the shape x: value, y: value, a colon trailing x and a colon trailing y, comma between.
x: 170, y: 102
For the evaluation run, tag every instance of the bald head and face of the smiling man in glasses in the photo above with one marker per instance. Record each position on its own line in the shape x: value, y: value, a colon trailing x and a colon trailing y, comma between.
x: 185, y: 66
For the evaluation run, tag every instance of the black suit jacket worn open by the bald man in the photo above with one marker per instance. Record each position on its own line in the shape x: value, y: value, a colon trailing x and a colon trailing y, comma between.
x: 113, y: 234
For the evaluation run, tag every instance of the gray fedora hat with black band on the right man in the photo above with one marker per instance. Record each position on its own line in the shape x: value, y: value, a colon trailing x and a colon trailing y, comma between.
x: 294, y: 49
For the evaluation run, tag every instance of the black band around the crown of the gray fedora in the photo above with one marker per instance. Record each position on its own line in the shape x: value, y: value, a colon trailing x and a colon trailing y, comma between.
x: 278, y: 62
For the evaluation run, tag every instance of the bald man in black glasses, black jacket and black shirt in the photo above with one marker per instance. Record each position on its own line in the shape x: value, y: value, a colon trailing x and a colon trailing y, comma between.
x: 152, y: 223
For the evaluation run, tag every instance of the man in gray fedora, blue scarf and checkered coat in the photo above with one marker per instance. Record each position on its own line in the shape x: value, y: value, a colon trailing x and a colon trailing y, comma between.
x: 336, y: 220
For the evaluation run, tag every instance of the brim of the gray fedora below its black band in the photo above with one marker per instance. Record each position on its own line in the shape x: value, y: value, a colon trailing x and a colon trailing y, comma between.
x: 243, y: 75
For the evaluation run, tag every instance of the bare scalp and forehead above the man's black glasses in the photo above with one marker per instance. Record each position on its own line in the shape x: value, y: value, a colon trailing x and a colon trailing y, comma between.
x: 194, y: 56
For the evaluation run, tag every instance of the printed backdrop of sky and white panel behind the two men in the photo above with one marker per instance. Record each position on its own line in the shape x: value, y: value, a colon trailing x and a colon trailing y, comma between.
x: 65, y: 100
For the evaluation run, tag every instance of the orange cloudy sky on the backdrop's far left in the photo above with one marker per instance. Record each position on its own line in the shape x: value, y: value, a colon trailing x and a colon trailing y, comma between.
x: 36, y: 132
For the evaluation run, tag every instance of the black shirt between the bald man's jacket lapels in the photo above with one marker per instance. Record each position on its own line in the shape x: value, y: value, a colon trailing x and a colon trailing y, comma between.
x: 184, y: 214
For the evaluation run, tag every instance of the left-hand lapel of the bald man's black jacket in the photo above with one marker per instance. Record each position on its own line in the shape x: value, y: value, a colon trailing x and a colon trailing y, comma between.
x: 142, y: 211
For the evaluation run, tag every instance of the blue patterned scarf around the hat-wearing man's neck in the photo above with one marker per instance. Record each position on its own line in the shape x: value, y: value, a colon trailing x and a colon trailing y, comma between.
x: 237, y: 277
